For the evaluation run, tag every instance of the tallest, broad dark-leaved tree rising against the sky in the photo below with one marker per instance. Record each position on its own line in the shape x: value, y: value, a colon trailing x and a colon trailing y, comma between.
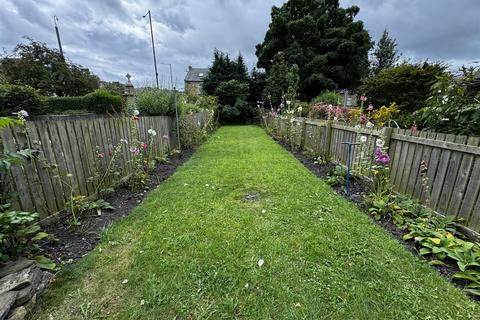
x: 322, y: 39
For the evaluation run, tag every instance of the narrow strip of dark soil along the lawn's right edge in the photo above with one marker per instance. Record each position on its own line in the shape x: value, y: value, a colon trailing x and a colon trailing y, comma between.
x: 358, y: 190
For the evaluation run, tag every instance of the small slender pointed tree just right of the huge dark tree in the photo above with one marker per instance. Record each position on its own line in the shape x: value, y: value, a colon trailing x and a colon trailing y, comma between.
x: 385, y: 55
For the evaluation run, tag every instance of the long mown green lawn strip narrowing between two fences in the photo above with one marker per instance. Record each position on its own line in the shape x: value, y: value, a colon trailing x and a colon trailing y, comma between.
x: 191, y: 250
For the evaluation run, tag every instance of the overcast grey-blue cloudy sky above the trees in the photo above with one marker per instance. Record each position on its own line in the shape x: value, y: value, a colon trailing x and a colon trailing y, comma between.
x: 111, y: 38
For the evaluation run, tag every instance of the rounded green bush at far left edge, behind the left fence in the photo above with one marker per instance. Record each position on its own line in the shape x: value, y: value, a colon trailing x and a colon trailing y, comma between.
x: 14, y: 98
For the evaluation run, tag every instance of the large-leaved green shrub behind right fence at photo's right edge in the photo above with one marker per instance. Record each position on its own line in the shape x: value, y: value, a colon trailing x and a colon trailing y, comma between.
x: 454, y: 106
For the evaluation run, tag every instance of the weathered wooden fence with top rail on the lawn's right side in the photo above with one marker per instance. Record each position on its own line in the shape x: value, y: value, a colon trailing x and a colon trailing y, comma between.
x: 453, y: 161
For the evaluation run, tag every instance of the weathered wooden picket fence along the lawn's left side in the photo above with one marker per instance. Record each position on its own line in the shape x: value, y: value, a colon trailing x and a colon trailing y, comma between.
x: 71, y: 149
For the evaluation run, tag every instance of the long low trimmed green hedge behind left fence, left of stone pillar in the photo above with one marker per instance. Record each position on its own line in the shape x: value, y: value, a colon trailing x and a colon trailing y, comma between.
x: 100, y: 101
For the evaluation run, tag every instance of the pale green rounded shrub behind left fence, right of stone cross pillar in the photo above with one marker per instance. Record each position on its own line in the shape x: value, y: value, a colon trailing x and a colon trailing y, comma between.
x: 154, y: 102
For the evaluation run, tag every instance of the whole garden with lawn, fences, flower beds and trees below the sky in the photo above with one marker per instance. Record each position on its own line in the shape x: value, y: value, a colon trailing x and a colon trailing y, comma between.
x: 334, y: 181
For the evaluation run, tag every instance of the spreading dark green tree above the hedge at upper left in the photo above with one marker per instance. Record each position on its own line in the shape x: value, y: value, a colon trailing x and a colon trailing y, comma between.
x: 45, y: 69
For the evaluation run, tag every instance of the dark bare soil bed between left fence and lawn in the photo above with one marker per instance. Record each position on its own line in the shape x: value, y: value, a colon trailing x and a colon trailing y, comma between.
x: 74, y: 242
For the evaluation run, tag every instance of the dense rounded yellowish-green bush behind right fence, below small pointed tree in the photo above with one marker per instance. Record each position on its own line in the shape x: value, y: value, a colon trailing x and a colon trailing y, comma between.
x: 408, y: 85
